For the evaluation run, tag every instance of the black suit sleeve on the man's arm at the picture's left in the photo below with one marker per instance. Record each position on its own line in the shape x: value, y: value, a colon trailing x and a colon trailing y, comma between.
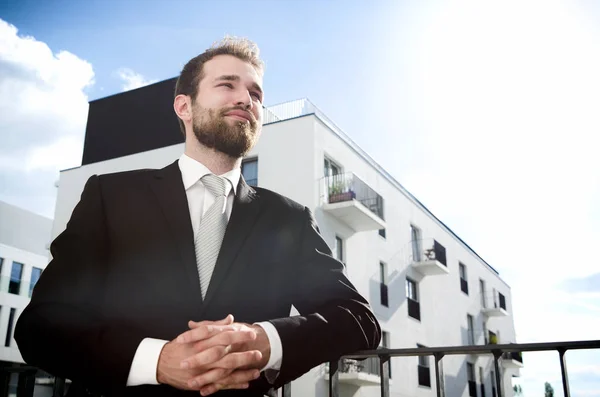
x: 63, y: 329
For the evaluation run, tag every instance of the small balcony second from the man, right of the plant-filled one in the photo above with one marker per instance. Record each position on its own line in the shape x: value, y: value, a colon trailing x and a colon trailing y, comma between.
x: 428, y: 257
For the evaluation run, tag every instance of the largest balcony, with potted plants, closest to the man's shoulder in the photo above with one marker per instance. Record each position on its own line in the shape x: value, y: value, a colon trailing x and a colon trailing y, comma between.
x: 353, y: 202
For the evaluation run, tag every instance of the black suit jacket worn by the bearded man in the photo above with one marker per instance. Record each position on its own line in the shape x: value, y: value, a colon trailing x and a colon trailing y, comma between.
x: 125, y: 269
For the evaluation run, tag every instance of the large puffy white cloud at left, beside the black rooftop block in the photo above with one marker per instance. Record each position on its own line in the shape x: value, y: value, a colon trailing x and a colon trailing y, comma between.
x: 44, y: 109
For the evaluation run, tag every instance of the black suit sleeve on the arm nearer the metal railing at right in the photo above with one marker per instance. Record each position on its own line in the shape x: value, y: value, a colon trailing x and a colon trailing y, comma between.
x: 334, y: 318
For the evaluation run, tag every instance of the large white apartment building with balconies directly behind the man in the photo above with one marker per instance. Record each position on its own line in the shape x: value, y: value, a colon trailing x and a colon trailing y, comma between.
x: 426, y: 286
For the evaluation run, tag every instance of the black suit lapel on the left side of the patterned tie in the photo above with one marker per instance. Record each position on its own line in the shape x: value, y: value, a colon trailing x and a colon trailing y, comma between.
x: 167, y: 185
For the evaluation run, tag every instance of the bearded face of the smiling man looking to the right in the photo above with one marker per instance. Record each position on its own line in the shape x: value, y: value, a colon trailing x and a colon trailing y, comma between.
x: 227, y: 112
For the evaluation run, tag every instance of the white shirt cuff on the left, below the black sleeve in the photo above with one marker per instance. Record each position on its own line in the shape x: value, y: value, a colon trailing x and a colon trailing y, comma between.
x: 145, y: 362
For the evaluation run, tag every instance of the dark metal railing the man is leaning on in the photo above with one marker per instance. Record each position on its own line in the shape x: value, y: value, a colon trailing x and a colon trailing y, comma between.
x: 26, y: 375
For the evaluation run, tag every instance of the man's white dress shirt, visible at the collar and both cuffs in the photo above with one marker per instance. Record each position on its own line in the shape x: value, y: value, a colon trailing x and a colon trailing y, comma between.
x: 145, y: 362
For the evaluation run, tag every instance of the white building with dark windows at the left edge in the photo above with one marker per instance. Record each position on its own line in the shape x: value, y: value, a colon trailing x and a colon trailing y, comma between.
x: 24, y: 237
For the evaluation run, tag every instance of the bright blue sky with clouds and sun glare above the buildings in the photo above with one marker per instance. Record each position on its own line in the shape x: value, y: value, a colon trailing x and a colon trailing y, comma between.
x: 487, y: 112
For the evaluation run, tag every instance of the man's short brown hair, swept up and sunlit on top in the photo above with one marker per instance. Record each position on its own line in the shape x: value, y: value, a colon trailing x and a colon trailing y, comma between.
x: 192, y: 73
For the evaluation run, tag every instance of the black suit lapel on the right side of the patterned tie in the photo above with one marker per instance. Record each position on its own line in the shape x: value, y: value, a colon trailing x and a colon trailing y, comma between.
x: 245, y: 211
